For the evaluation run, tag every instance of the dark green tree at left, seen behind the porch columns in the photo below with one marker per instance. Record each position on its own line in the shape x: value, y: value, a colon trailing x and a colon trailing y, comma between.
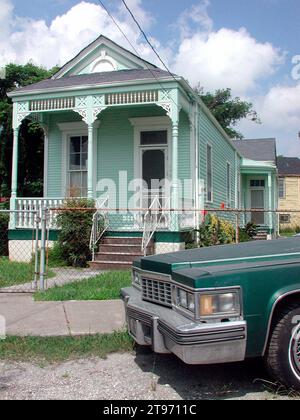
x: 31, y: 142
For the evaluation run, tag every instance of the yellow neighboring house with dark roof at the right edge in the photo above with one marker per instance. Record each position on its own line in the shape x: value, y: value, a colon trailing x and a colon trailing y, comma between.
x: 289, y: 191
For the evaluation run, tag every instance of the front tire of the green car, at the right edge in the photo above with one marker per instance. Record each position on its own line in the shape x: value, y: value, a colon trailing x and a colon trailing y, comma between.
x: 283, y: 353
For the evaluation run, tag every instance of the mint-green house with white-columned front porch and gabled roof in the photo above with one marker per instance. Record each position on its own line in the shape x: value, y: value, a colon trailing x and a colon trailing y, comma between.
x: 108, y: 111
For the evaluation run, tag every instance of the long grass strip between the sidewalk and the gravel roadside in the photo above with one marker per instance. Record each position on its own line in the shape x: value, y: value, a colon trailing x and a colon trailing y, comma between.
x: 57, y: 349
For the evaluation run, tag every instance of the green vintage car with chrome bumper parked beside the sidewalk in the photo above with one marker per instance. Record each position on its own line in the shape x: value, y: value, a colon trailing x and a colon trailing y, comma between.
x: 221, y: 304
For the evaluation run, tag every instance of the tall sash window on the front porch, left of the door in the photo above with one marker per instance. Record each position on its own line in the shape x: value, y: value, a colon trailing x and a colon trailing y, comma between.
x: 78, y: 155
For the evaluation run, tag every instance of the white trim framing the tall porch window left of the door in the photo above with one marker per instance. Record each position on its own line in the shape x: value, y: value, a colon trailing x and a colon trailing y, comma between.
x: 70, y: 130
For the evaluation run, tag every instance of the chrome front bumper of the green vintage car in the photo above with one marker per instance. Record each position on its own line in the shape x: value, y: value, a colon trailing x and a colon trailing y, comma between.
x: 166, y: 331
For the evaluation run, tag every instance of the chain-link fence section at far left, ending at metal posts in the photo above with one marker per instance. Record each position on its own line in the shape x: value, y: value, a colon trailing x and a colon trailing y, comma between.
x: 20, y: 251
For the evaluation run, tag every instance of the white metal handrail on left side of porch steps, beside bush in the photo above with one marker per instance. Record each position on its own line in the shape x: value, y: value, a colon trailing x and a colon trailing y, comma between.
x: 100, y: 224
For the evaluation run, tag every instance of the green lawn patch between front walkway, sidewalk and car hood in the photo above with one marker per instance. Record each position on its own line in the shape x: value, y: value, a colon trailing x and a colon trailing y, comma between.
x: 103, y: 287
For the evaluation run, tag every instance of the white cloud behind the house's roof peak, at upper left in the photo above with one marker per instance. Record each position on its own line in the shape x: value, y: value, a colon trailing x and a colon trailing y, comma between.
x: 67, y: 34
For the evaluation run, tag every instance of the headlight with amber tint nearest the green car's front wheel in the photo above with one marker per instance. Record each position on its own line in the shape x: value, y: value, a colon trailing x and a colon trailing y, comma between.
x: 219, y: 304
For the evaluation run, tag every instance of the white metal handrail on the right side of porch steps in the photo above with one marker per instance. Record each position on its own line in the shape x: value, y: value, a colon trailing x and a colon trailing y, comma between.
x: 152, y: 221
